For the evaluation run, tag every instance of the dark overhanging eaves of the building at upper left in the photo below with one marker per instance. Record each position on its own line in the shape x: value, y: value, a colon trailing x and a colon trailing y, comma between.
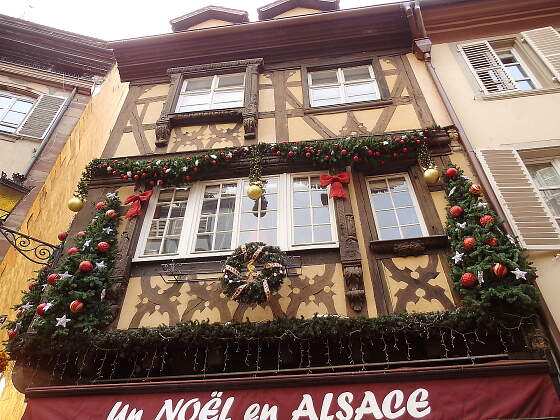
x: 48, y: 48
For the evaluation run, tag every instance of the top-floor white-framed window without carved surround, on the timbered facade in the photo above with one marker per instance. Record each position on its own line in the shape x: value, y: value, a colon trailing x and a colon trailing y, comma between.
x: 342, y: 85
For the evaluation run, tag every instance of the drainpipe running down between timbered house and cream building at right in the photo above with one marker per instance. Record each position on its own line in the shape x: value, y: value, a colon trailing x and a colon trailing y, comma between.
x: 422, y: 49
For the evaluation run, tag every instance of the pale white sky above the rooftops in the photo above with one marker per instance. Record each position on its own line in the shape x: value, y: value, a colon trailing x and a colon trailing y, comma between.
x: 120, y: 19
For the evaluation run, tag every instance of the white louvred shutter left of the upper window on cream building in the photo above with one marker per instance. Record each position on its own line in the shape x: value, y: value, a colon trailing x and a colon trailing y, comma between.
x: 487, y: 67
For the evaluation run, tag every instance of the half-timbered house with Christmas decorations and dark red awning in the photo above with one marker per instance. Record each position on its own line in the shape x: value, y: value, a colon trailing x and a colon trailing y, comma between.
x: 314, y: 130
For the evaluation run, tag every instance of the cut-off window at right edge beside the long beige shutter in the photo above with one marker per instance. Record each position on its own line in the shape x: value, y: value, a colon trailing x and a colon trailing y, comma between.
x: 546, y: 177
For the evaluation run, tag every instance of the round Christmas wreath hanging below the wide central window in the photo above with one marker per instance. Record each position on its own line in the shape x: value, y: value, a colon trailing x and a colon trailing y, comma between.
x: 243, y: 283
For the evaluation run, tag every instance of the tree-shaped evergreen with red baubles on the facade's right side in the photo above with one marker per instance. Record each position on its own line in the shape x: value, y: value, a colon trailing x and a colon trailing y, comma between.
x: 491, y: 293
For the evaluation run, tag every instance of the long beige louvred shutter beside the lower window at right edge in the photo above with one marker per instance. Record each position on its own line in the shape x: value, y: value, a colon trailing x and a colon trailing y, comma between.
x: 521, y: 200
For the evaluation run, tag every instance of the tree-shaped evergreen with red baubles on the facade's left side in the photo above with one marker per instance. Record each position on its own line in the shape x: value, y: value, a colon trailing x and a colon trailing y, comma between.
x: 85, y: 287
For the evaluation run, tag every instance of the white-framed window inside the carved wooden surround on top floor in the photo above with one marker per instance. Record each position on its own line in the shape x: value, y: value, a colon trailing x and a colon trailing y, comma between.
x: 213, y: 92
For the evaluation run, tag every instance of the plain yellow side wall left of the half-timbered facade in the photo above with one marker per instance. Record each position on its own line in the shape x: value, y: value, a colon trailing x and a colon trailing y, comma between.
x: 49, y: 214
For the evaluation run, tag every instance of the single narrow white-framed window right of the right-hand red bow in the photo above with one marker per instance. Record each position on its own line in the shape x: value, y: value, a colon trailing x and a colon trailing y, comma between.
x: 395, y: 208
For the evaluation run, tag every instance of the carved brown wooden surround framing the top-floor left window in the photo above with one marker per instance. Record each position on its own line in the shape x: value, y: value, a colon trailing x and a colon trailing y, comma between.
x: 248, y: 114
